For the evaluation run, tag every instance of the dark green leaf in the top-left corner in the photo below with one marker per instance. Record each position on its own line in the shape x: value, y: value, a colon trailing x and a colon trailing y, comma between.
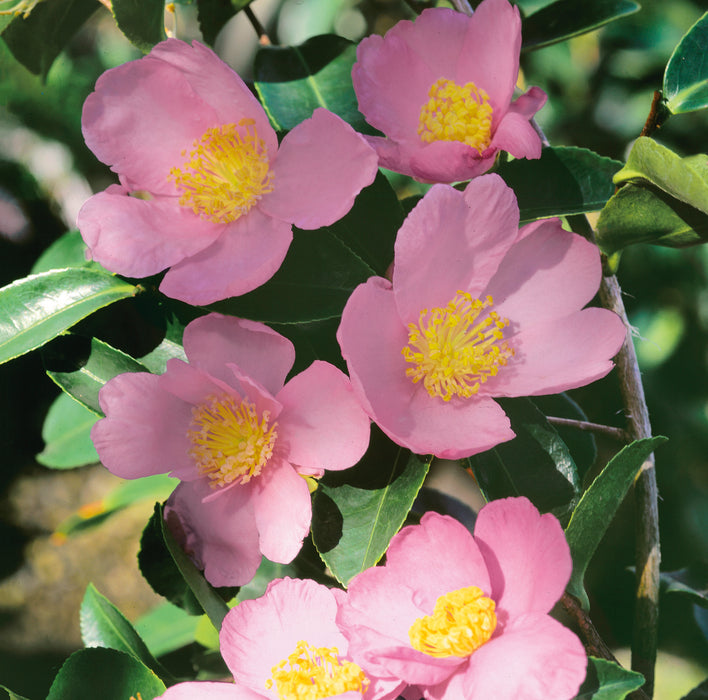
x: 35, y: 41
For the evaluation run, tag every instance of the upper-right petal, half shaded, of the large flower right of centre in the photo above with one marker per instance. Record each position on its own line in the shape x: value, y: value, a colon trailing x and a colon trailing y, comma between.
x: 548, y: 274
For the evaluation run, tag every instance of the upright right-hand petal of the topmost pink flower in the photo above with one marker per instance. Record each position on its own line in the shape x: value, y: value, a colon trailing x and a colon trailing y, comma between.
x: 489, y: 56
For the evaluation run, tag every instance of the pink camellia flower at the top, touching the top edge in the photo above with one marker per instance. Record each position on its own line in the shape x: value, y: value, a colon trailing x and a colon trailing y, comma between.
x: 441, y: 89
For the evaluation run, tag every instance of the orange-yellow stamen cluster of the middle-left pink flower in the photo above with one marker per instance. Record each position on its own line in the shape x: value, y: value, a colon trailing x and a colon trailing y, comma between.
x: 230, y: 442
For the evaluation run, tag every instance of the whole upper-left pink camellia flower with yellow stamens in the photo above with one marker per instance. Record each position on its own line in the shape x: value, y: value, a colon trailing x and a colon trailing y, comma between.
x: 205, y: 189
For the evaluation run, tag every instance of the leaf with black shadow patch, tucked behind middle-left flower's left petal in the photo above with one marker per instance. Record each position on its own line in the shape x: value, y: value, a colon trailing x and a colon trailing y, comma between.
x: 96, y: 362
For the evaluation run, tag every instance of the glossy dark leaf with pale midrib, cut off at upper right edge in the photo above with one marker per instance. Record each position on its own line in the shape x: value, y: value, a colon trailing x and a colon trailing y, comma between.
x: 686, y: 75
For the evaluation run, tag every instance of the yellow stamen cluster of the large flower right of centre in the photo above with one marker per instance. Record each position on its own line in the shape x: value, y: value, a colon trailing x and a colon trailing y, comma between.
x: 456, y: 348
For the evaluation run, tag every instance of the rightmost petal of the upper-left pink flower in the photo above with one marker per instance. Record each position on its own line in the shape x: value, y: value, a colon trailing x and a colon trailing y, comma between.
x: 321, y: 167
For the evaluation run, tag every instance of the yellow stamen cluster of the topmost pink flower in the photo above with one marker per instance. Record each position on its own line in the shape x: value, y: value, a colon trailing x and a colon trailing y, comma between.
x: 456, y: 113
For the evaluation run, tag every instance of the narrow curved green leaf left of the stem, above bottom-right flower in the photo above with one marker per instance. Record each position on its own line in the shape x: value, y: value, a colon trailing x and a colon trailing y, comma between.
x: 598, y: 506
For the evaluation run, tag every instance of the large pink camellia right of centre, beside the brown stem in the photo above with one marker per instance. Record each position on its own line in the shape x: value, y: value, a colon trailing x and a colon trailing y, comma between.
x: 477, y: 308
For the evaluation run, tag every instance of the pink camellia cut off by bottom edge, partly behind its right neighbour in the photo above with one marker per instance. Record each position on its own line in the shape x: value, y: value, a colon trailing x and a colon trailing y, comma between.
x: 287, y: 646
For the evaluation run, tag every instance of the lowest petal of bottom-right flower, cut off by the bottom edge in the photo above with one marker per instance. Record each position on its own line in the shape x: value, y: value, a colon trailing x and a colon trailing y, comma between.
x: 535, y: 658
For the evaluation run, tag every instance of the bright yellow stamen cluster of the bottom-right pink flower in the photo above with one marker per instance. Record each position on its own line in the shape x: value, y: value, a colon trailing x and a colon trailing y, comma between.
x: 462, y: 621
